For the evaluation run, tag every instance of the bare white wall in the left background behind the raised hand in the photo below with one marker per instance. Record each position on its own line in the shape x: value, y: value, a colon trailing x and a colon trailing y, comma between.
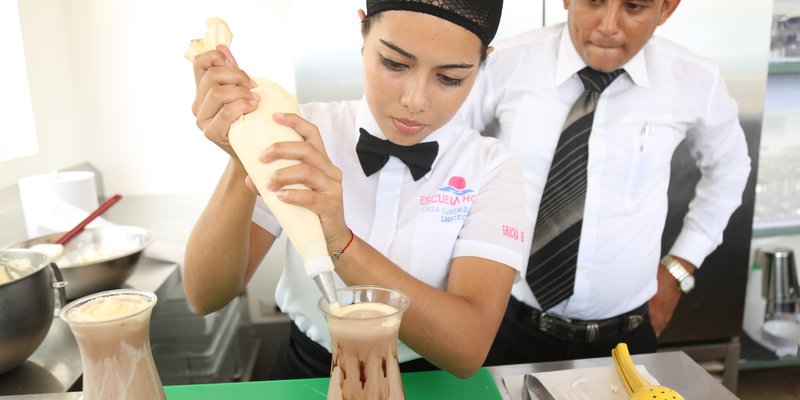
x: 110, y: 86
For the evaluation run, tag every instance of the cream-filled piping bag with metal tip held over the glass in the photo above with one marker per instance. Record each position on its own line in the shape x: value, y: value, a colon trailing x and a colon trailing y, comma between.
x: 250, y: 135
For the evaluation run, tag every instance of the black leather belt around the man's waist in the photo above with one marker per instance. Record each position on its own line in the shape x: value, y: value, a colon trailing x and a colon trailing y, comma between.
x: 577, y: 330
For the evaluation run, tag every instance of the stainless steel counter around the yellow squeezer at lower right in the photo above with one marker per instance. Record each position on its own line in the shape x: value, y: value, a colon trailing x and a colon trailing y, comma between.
x: 672, y: 369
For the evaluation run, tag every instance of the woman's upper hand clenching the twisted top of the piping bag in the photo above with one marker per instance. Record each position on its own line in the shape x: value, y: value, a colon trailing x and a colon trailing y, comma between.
x: 223, y: 95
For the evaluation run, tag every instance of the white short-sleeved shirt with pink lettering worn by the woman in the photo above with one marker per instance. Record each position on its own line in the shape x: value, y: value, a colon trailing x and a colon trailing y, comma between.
x: 471, y: 203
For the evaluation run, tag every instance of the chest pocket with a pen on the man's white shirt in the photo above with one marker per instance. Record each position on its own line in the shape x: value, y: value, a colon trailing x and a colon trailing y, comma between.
x: 651, y: 150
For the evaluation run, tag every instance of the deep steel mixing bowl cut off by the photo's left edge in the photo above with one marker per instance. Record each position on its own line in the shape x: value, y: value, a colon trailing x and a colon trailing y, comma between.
x: 27, y: 304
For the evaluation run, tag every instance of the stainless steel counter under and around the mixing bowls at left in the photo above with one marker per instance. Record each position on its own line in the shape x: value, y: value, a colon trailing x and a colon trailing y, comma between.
x: 56, y: 365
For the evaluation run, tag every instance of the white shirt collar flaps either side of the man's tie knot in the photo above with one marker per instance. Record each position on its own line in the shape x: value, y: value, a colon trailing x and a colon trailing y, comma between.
x: 569, y: 62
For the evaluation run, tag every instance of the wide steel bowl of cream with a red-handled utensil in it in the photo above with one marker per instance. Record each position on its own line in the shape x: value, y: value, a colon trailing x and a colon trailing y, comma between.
x: 111, y: 254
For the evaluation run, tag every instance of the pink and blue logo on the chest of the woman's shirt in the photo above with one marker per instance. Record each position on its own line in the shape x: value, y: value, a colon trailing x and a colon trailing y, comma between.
x: 451, y: 203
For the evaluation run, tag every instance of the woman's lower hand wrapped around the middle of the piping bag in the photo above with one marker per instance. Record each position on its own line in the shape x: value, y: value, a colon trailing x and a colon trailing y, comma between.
x: 316, y: 171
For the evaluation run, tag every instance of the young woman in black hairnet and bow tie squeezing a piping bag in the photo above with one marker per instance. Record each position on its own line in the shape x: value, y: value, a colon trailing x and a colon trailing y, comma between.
x: 453, y: 235
